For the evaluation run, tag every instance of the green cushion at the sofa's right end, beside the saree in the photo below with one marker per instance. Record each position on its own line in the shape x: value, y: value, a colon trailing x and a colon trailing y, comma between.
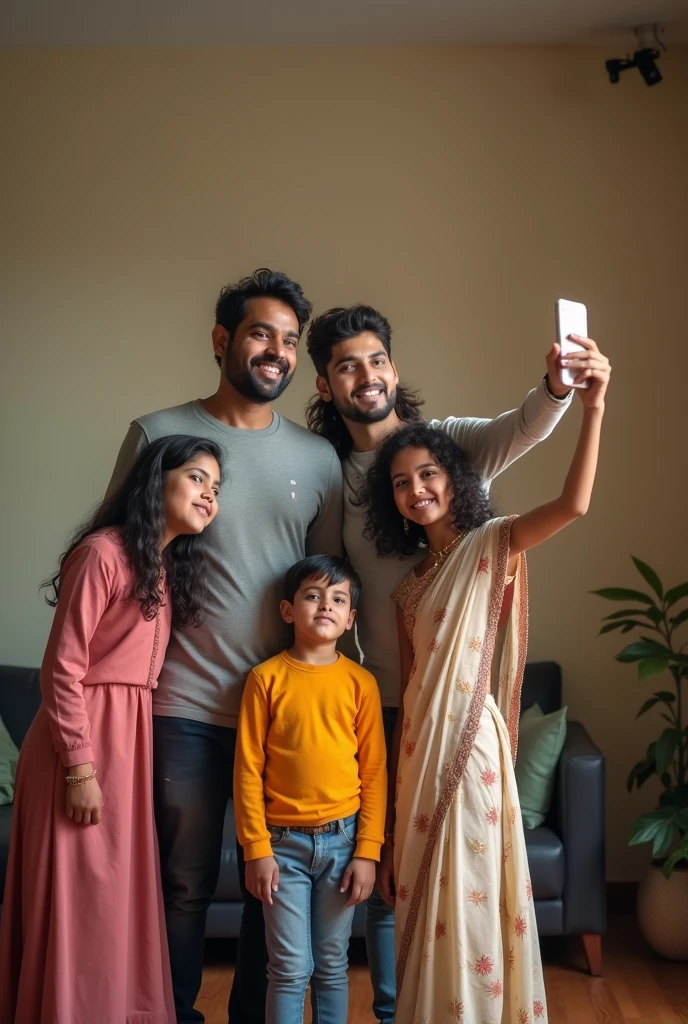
x: 541, y: 741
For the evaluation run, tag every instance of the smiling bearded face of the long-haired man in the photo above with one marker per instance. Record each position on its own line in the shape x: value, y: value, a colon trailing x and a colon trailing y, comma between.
x: 362, y: 380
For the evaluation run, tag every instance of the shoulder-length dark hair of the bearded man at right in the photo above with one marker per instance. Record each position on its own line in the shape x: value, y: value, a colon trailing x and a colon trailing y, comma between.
x: 328, y: 330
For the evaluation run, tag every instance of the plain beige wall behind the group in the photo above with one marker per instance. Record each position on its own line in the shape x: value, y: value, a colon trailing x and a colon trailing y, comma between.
x: 459, y: 191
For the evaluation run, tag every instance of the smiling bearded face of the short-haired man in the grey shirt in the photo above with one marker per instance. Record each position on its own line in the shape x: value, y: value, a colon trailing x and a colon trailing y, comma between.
x: 261, y: 360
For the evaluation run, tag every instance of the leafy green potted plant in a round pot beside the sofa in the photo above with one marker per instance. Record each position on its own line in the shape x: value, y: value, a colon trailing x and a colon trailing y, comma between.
x: 663, y: 898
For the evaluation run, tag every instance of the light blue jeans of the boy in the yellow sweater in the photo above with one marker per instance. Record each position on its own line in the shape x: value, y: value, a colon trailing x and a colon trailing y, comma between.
x: 309, y: 926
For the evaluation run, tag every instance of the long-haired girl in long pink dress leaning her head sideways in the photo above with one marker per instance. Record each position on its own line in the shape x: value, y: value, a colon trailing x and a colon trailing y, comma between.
x: 82, y: 940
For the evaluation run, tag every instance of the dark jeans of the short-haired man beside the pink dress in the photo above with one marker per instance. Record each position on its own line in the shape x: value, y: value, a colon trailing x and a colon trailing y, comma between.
x: 193, y: 775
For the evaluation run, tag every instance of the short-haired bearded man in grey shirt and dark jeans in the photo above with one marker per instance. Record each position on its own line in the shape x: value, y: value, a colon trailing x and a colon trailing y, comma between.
x: 281, y: 500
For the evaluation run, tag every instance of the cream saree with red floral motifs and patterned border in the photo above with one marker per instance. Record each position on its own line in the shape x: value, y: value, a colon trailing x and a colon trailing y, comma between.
x: 466, y: 937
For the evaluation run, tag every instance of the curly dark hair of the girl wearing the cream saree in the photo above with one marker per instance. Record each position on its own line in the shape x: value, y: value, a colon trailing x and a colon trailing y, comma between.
x: 384, y: 525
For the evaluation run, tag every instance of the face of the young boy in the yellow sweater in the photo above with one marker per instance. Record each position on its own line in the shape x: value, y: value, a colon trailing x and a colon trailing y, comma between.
x: 321, y: 612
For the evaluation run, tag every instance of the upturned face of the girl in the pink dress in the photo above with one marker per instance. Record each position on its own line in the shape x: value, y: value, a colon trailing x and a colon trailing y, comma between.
x: 190, y: 495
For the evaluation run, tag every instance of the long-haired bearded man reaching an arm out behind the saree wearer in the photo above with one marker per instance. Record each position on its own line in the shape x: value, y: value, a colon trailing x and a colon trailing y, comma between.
x: 360, y: 402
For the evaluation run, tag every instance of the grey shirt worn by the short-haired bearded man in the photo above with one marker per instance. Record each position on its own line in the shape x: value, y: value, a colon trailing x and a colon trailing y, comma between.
x: 281, y: 500
